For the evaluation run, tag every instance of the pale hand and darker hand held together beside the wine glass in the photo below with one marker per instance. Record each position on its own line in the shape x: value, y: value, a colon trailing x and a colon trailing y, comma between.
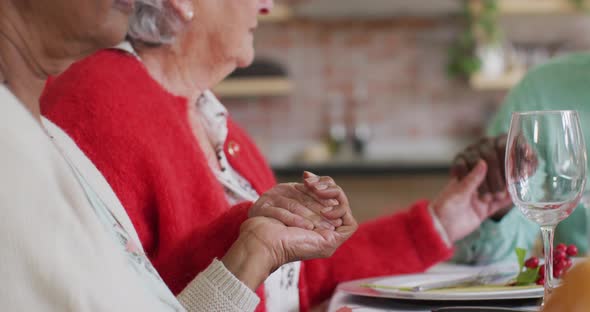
x: 478, y: 187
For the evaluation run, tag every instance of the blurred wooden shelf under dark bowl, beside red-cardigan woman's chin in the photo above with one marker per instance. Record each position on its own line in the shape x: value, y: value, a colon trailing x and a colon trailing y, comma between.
x: 253, y: 87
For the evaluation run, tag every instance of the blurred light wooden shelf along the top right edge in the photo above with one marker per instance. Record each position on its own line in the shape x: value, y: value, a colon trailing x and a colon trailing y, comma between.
x: 539, y: 7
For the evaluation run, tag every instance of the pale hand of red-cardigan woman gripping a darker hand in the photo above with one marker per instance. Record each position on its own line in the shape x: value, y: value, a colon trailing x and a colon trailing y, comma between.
x: 459, y: 207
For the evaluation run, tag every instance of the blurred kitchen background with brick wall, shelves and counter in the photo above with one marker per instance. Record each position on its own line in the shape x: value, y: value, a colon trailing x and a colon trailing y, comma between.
x: 381, y: 94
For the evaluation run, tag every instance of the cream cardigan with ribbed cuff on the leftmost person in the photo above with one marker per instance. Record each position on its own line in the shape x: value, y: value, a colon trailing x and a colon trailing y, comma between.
x: 54, y: 253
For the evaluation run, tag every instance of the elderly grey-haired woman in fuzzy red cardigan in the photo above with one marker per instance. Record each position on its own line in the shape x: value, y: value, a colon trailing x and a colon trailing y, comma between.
x: 180, y: 165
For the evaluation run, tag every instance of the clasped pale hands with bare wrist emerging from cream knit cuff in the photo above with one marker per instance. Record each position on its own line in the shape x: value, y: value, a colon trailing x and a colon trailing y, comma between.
x: 265, y: 243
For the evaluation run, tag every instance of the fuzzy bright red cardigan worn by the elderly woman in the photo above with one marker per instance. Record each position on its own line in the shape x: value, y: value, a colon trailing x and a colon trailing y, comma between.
x: 139, y: 137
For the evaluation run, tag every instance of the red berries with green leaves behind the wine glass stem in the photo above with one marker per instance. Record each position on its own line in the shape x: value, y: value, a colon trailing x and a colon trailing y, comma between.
x: 532, y: 271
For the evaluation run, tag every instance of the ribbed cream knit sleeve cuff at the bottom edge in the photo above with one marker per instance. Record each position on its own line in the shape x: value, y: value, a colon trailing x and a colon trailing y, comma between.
x: 217, y: 287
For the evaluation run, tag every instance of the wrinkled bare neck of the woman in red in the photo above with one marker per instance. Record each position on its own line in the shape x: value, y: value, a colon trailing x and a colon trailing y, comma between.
x: 182, y: 69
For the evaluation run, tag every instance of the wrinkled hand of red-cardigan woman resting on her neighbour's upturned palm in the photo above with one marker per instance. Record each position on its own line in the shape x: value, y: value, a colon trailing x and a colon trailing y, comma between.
x: 302, y: 205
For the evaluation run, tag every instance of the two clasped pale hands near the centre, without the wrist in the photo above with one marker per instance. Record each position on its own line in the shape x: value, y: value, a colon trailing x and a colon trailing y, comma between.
x: 299, y: 221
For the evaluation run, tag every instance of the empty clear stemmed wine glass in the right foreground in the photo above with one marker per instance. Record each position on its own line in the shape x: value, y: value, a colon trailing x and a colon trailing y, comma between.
x: 546, y: 171
